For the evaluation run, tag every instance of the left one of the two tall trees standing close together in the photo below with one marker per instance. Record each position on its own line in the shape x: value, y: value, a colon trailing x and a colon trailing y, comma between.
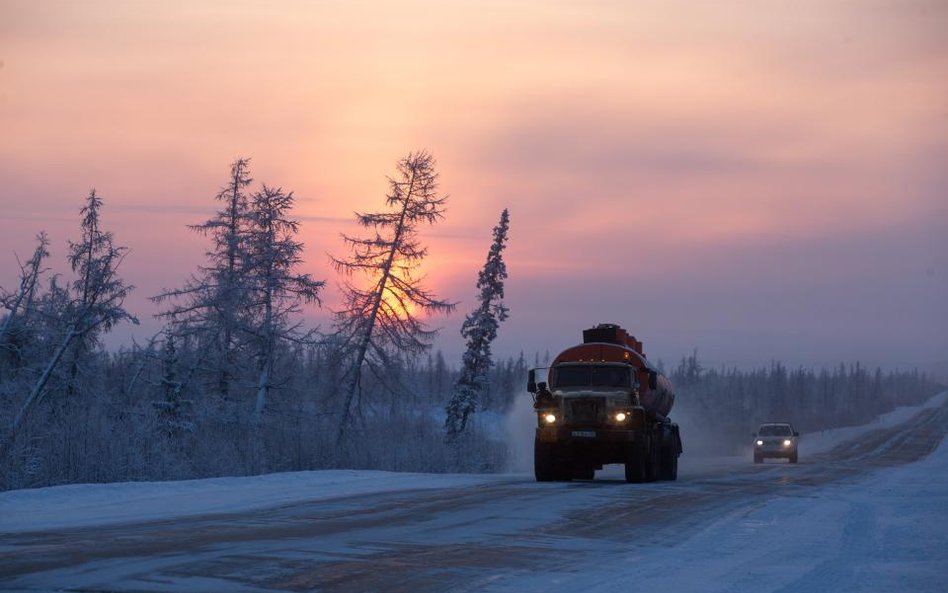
x: 207, y: 310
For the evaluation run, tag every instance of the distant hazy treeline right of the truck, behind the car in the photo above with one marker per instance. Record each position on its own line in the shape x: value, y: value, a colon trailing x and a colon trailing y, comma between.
x: 722, y: 407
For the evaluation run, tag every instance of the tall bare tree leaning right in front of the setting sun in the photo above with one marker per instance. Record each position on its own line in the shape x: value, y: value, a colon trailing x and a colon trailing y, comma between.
x: 378, y: 324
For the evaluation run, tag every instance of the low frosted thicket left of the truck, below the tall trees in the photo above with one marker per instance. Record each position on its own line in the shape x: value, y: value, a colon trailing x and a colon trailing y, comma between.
x: 133, y: 421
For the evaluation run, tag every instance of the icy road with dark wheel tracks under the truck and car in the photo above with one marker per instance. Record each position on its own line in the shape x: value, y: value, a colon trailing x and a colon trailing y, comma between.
x: 472, y: 539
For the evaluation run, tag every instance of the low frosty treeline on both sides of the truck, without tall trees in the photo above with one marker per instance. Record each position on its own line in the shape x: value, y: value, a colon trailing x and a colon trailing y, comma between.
x: 136, y: 415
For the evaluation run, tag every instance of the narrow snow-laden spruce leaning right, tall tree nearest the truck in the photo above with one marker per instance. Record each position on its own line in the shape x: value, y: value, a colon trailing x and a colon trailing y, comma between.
x: 479, y: 331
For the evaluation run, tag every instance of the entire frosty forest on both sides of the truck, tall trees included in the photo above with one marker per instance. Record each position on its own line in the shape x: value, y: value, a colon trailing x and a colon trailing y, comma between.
x: 236, y: 384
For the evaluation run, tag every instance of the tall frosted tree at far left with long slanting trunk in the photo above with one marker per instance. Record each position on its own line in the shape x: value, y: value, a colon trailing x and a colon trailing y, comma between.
x: 93, y: 305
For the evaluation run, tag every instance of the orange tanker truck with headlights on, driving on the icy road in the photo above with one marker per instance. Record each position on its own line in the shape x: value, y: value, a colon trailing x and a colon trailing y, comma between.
x: 604, y: 403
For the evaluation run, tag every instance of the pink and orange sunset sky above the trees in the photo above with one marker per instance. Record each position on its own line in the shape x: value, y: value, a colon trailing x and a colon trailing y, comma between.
x: 759, y: 181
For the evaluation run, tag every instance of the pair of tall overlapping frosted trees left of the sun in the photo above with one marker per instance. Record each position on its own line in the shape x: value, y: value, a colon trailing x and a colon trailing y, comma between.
x: 237, y: 309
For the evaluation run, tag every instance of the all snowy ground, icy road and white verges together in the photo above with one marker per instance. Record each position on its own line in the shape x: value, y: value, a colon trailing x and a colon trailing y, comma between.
x: 868, y: 514
